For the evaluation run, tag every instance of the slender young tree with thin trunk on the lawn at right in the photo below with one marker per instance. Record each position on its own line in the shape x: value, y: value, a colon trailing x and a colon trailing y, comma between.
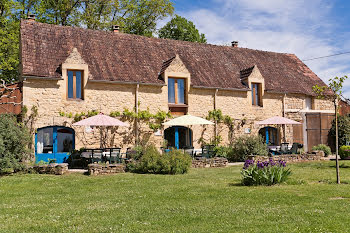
x: 333, y: 92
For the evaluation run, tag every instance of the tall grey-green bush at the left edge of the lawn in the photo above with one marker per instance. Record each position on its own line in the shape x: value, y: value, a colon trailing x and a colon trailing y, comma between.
x: 14, y: 140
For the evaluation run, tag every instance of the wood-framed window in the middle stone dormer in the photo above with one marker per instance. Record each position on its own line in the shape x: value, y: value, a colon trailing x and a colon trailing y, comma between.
x: 176, y: 91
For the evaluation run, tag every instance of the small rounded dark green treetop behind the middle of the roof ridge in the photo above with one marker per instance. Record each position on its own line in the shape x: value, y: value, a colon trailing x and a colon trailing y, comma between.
x: 180, y: 28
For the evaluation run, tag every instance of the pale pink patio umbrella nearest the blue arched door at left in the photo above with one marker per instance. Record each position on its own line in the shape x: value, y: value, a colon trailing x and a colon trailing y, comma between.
x: 100, y: 121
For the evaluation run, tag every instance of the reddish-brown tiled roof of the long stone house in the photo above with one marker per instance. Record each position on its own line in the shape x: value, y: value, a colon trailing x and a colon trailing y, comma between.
x: 132, y: 58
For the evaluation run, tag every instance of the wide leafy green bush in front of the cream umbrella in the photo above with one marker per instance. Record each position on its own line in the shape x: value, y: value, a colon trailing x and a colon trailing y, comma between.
x: 152, y: 161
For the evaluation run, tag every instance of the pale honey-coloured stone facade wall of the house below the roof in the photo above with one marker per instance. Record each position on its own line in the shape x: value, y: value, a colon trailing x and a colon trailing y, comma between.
x: 107, y: 97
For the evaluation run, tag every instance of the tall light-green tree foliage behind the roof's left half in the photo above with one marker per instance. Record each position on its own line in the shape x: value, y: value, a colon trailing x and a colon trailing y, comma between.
x: 134, y: 16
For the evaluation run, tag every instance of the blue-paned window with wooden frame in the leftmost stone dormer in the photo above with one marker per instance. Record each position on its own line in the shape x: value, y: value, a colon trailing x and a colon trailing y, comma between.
x: 75, y: 84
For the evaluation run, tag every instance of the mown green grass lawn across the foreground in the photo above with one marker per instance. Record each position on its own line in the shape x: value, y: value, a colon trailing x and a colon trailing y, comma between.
x: 204, y: 200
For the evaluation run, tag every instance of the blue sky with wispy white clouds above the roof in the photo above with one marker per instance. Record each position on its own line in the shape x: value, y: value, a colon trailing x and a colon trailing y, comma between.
x: 307, y: 28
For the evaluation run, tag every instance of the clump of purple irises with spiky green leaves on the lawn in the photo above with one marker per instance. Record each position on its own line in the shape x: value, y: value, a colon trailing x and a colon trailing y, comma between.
x: 264, y: 173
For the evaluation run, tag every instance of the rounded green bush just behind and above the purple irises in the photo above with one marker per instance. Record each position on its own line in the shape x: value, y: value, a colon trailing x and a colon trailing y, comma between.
x: 245, y: 146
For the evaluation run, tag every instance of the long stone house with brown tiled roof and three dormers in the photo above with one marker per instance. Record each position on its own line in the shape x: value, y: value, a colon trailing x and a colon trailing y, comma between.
x: 68, y: 70
